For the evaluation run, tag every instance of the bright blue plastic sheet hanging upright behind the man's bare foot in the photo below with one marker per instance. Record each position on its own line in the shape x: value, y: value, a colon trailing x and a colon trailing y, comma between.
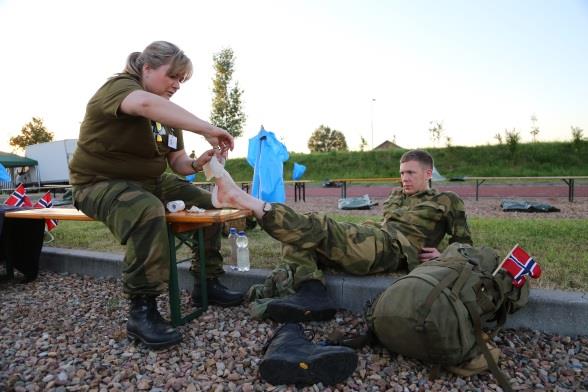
x: 267, y: 155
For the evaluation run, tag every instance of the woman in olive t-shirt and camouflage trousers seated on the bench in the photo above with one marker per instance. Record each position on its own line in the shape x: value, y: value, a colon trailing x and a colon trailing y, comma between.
x: 130, y: 134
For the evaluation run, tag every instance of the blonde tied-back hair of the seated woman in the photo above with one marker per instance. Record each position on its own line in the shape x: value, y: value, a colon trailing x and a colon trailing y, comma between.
x: 159, y: 53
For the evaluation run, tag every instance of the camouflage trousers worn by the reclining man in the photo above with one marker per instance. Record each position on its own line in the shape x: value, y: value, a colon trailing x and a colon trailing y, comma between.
x: 309, y: 240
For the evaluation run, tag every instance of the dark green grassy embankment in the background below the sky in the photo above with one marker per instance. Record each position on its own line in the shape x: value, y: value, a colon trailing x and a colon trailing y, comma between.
x: 530, y: 159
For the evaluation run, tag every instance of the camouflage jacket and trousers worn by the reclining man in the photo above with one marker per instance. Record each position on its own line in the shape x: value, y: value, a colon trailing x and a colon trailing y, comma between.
x: 410, y: 223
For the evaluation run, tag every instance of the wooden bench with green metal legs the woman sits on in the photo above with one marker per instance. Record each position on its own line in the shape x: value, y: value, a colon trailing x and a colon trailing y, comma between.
x: 180, y: 225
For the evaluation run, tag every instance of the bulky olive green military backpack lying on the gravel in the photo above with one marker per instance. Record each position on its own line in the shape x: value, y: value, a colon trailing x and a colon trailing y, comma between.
x: 436, y: 312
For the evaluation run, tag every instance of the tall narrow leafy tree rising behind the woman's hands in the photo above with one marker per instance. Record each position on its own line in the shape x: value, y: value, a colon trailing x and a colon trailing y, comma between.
x: 226, y: 101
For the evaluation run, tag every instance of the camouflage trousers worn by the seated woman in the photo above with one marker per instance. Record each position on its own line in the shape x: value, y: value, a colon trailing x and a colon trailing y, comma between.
x: 135, y: 213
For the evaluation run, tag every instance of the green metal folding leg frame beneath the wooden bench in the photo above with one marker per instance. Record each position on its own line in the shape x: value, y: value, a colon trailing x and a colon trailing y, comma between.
x: 175, y: 302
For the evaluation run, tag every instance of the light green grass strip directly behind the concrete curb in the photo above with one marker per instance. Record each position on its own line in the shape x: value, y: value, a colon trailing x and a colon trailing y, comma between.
x: 559, y: 246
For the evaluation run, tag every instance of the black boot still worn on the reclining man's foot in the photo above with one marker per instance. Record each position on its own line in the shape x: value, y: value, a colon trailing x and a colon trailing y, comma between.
x: 310, y: 303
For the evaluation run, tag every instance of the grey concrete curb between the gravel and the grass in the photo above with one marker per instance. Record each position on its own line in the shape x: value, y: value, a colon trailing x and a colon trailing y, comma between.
x: 551, y: 311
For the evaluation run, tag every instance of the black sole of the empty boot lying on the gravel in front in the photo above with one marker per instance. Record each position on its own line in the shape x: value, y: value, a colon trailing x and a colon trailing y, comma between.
x: 329, y: 369
